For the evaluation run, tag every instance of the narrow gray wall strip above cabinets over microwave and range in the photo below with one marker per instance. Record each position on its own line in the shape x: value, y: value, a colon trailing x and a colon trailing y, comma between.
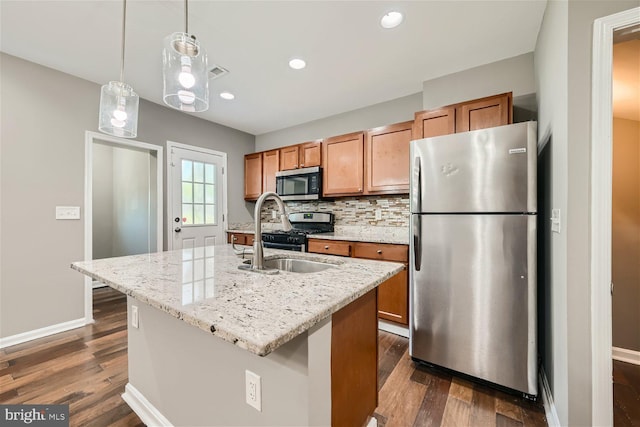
x: 385, y: 113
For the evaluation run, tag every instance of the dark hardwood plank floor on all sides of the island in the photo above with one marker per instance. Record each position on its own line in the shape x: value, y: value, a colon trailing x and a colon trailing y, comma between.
x: 87, y: 369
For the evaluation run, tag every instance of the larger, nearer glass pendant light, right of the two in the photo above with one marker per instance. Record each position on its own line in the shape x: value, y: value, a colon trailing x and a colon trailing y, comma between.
x: 184, y: 70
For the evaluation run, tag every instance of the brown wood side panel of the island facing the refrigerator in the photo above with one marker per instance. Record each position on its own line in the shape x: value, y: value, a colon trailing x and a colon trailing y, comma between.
x: 354, y: 362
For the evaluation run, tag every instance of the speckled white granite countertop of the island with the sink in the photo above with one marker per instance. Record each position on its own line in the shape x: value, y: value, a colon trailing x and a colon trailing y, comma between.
x: 257, y: 312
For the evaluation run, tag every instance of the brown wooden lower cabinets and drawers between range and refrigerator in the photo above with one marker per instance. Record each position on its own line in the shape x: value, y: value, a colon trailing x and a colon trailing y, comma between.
x: 393, y: 294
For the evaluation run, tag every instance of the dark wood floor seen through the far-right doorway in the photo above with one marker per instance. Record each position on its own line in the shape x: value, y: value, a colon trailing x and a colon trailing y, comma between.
x: 626, y: 394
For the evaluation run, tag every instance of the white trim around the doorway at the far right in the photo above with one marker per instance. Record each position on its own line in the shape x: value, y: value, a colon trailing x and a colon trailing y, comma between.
x: 601, y: 194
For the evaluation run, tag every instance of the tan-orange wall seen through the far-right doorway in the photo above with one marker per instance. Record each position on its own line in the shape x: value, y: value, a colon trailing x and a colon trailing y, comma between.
x: 625, y: 239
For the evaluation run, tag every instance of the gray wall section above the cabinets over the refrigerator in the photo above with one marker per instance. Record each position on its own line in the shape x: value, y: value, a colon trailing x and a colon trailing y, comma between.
x: 509, y: 75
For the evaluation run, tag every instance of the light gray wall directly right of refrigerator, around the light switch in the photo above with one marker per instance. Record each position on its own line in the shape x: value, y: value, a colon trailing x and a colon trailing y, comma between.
x: 551, y: 70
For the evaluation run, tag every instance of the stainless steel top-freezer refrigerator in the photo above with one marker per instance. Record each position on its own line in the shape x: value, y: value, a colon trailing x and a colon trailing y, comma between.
x: 473, y: 254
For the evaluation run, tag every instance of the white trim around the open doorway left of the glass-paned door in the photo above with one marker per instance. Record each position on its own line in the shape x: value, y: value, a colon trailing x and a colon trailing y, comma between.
x: 90, y: 139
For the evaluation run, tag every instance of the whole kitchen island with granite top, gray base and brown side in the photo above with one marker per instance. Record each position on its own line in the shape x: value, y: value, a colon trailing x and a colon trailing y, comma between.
x: 202, y: 323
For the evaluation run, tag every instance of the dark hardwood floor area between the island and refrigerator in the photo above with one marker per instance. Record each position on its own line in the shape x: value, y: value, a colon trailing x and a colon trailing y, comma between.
x: 419, y: 396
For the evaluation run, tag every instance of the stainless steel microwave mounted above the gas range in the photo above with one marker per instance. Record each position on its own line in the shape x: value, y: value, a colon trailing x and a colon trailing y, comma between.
x: 300, y: 184
